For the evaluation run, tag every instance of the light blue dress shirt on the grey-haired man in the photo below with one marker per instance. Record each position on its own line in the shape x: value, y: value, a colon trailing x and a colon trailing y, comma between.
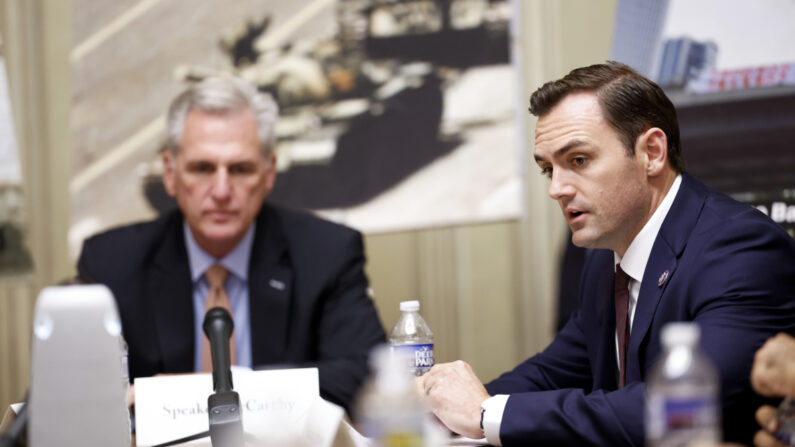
x: 236, y: 286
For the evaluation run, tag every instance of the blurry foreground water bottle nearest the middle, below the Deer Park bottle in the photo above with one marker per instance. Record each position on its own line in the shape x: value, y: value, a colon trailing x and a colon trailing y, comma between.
x: 388, y: 410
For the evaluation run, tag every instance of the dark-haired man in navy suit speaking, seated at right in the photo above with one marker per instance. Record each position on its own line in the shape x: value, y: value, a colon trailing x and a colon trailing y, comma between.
x: 608, y: 140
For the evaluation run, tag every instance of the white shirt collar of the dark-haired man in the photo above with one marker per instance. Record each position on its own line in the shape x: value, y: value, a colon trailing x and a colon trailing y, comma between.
x: 637, y: 255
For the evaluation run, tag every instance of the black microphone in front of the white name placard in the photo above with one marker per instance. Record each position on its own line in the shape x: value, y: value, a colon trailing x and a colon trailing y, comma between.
x: 223, y: 406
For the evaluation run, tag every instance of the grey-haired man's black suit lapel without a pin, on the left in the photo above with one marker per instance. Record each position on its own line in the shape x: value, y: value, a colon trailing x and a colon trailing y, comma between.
x: 170, y: 298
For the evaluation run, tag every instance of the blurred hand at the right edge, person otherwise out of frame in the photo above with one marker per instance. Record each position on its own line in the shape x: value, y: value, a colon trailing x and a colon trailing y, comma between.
x: 773, y: 373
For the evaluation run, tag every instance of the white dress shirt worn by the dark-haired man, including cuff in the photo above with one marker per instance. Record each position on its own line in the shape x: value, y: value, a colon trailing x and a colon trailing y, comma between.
x: 634, y: 264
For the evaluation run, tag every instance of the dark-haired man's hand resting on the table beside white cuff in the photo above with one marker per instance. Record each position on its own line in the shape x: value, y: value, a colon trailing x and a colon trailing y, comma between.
x: 454, y: 393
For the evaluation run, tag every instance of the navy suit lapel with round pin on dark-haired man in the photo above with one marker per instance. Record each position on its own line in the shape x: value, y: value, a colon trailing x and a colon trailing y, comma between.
x: 661, y: 267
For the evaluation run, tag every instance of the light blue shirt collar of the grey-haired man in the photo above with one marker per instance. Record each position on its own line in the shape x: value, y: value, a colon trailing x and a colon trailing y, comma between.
x: 236, y: 261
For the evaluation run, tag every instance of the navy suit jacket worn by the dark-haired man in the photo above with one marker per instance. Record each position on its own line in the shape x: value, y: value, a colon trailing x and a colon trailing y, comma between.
x: 730, y: 269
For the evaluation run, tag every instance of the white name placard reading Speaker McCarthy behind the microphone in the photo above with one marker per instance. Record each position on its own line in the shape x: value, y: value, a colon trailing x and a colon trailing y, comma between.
x: 274, y: 403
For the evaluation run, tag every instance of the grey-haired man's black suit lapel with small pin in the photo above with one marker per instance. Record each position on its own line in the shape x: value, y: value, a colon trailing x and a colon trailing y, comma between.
x: 270, y: 290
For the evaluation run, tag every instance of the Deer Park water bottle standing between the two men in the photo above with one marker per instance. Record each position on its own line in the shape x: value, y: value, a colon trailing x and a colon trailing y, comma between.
x: 412, y: 337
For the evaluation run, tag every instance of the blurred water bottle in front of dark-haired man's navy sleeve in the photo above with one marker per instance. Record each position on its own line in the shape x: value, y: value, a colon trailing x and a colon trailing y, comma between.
x: 682, y: 392
